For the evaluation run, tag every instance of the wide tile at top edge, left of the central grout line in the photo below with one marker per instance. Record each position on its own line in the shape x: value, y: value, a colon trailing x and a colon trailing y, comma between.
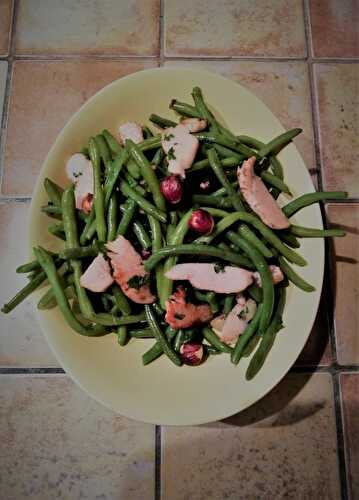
x: 88, y: 26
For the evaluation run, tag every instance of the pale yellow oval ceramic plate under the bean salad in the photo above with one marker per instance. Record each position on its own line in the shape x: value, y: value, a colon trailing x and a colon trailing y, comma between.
x: 162, y: 393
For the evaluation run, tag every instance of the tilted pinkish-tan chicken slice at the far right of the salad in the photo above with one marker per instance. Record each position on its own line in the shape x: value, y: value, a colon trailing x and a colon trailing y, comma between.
x: 259, y: 198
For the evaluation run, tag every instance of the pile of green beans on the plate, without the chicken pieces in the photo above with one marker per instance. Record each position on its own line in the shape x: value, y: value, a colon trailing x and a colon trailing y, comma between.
x: 128, y: 201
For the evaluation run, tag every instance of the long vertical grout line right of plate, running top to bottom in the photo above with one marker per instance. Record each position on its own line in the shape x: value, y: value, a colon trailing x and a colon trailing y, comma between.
x: 342, y: 466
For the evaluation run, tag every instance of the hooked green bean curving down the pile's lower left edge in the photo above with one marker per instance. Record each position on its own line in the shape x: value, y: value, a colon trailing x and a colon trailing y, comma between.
x: 49, y: 268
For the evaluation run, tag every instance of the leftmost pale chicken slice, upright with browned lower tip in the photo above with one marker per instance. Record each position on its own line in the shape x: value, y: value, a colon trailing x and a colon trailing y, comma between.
x: 79, y: 170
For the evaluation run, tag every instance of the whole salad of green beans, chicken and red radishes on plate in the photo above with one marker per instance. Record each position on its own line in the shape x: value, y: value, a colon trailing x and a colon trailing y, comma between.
x: 172, y: 232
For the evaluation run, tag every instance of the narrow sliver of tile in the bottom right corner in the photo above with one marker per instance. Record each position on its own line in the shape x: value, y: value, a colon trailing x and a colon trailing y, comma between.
x: 349, y: 384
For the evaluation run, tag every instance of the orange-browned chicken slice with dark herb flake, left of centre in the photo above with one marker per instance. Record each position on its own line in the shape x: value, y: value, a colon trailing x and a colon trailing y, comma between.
x: 129, y: 271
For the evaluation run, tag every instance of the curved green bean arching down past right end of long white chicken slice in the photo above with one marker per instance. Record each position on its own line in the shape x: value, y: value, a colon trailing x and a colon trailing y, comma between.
x: 265, y: 275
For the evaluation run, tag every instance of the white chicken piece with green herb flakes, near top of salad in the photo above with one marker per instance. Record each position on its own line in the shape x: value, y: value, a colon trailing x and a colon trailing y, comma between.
x: 180, y: 147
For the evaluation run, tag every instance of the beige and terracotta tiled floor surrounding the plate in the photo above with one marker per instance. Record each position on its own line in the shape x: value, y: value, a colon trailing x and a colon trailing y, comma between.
x: 300, y: 441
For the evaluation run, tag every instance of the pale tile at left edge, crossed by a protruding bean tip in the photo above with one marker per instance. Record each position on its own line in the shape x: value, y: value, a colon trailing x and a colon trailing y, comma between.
x: 21, y: 341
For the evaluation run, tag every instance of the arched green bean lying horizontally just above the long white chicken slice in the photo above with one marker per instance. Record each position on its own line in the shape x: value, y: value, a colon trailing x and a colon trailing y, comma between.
x: 193, y: 249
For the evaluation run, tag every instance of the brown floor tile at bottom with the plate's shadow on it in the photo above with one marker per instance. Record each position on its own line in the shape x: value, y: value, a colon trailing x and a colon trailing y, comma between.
x: 282, y: 447
